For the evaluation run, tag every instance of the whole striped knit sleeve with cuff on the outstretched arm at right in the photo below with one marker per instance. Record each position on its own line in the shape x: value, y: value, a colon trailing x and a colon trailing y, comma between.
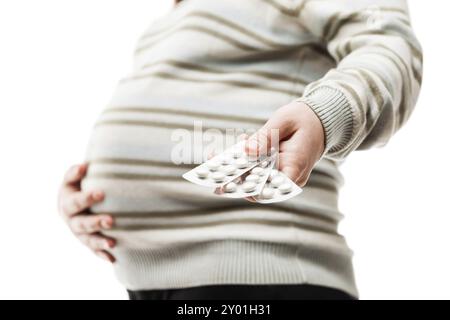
x: 374, y: 87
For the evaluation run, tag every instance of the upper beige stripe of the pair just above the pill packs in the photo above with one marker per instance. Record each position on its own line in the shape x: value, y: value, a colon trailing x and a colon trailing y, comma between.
x: 180, y: 111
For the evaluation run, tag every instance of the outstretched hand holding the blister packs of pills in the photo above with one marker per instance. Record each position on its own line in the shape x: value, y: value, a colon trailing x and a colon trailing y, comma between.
x: 301, y: 140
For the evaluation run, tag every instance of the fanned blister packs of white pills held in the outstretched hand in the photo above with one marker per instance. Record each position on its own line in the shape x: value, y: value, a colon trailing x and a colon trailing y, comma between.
x: 234, y: 174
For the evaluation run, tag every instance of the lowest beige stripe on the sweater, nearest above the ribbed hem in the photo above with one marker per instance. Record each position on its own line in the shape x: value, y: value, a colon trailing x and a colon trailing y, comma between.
x: 282, y: 224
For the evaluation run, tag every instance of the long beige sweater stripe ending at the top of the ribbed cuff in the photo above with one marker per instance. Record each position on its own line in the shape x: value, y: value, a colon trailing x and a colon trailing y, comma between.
x: 233, y: 83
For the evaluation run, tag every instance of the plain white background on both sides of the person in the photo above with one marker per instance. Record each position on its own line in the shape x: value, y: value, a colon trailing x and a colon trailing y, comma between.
x: 59, y: 63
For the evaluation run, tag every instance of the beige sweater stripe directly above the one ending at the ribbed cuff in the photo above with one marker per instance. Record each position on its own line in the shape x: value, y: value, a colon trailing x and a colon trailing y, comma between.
x: 202, y: 68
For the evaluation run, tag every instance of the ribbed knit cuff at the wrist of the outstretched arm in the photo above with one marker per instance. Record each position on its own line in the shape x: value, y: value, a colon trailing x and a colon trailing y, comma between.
x: 335, y: 113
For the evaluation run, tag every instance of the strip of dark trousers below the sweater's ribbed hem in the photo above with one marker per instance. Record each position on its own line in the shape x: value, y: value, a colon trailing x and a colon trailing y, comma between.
x: 244, y: 292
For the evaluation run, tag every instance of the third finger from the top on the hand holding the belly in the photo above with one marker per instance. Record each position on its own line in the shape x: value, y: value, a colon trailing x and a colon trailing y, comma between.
x: 90, y: 223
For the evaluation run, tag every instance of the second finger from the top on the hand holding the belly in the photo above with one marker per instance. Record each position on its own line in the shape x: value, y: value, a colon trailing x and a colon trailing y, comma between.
x: 77, y: 202
